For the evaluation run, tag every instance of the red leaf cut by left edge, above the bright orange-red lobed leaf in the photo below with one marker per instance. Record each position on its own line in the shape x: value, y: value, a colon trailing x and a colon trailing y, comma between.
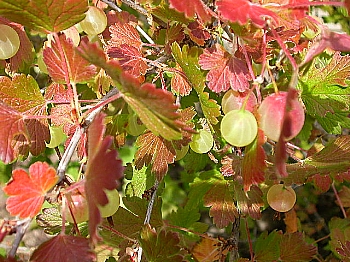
x: 14, y: 137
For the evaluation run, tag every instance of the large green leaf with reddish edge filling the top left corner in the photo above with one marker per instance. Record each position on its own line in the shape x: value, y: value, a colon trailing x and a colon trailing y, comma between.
x: 43, y: 15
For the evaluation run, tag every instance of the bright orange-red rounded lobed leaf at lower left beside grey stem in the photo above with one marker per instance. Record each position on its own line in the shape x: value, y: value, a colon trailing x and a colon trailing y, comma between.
x: 27, y: 191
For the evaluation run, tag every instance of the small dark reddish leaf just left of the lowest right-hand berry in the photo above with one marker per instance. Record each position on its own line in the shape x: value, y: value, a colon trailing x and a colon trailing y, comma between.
x: 249, y: 202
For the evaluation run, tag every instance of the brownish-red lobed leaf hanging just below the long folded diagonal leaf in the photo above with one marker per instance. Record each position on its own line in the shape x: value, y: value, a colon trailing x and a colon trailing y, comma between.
x: 154, y: 150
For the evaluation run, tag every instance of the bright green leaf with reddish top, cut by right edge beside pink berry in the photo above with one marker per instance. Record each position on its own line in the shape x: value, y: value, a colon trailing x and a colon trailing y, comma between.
x: 326, y: 95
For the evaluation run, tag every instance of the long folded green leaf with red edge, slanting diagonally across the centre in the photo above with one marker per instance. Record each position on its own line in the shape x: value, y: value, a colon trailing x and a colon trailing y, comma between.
x: 155, y: 107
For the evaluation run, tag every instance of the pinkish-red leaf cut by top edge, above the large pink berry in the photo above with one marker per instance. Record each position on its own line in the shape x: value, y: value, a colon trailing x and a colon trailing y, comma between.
x: 242, y: 10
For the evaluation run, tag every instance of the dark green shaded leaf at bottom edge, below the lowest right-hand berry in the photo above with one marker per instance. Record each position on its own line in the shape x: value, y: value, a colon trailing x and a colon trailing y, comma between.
x: 267, y: 246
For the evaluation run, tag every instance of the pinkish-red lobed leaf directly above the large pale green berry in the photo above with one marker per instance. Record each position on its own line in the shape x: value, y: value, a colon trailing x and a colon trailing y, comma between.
x: 225, y: 72
